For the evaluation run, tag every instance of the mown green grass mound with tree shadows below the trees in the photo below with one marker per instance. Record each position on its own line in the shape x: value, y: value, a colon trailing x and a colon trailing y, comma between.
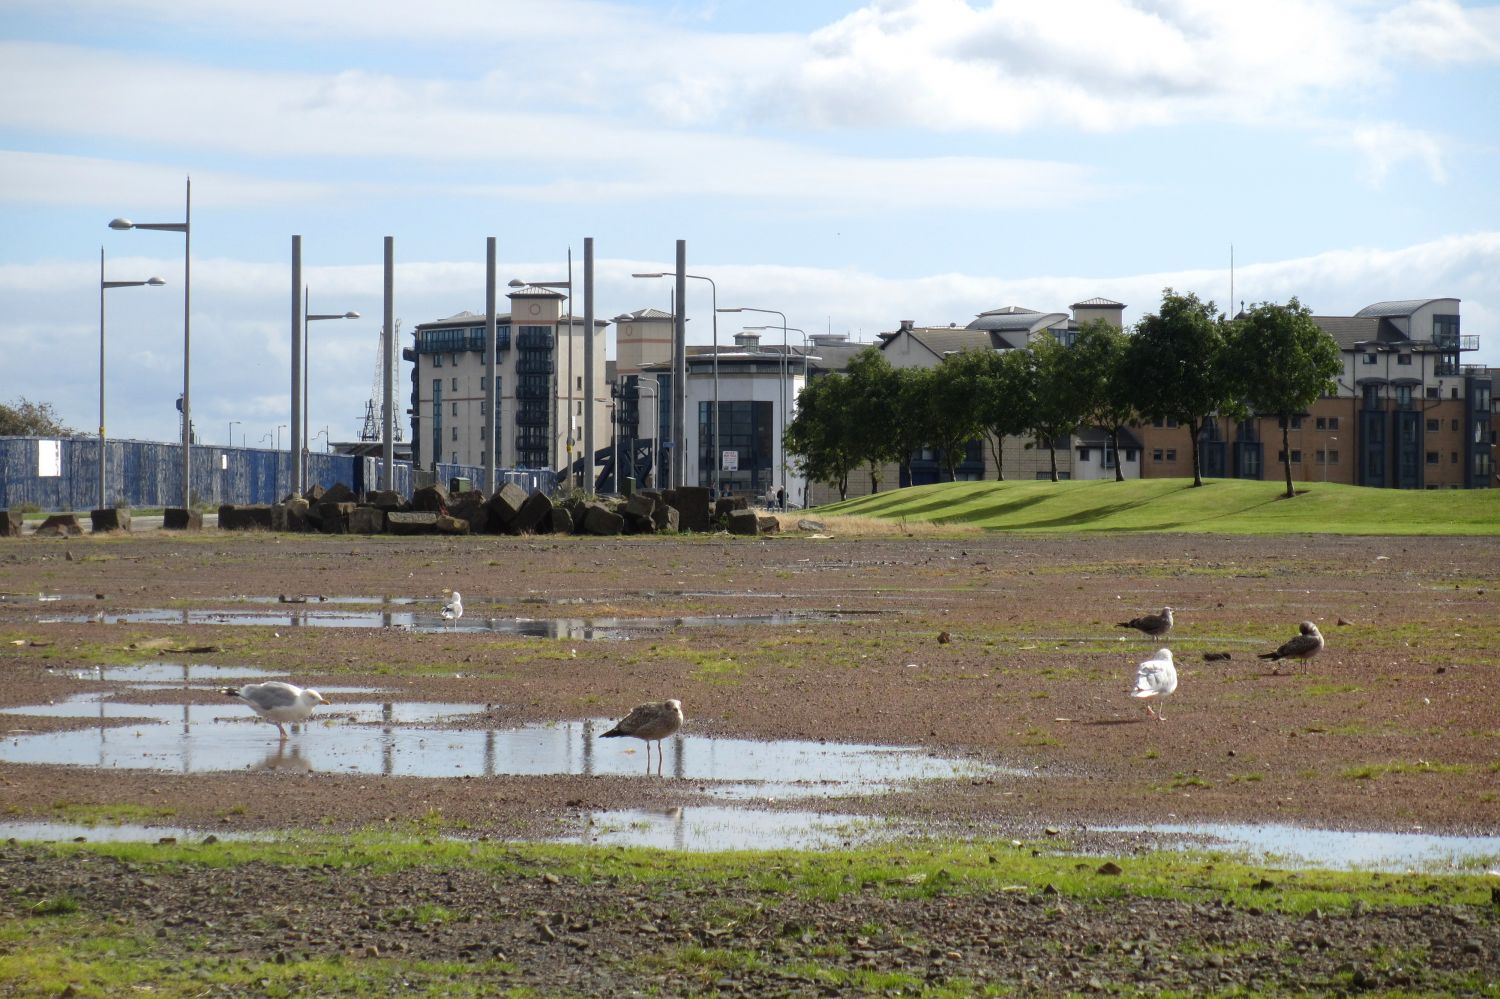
x: 1229, y: 506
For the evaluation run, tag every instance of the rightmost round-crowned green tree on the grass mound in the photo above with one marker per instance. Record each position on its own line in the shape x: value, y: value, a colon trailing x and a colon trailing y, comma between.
x: 1283, y: 362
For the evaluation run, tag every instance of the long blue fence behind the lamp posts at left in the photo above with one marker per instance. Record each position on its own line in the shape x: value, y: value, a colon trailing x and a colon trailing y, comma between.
x: 64, y: 475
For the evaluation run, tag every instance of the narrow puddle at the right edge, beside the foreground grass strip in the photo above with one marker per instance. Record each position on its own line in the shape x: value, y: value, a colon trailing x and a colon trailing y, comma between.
x: 1342, y: 850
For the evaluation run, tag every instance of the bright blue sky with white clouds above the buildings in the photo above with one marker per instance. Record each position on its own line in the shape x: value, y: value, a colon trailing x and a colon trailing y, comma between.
x: 848, y: 164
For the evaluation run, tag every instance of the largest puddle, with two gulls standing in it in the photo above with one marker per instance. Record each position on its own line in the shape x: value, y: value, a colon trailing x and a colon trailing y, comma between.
x: 415, y: 740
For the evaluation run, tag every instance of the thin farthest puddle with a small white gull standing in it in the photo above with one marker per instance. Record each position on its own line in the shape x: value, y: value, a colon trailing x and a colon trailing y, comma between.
x: 577, y: 629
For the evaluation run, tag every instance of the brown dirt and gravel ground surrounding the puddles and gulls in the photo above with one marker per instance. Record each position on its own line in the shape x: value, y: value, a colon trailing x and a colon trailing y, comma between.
x: 991, y: 647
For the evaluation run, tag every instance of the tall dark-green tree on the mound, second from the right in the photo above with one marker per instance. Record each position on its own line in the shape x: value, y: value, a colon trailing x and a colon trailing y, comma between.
x: 1175, y: 367
